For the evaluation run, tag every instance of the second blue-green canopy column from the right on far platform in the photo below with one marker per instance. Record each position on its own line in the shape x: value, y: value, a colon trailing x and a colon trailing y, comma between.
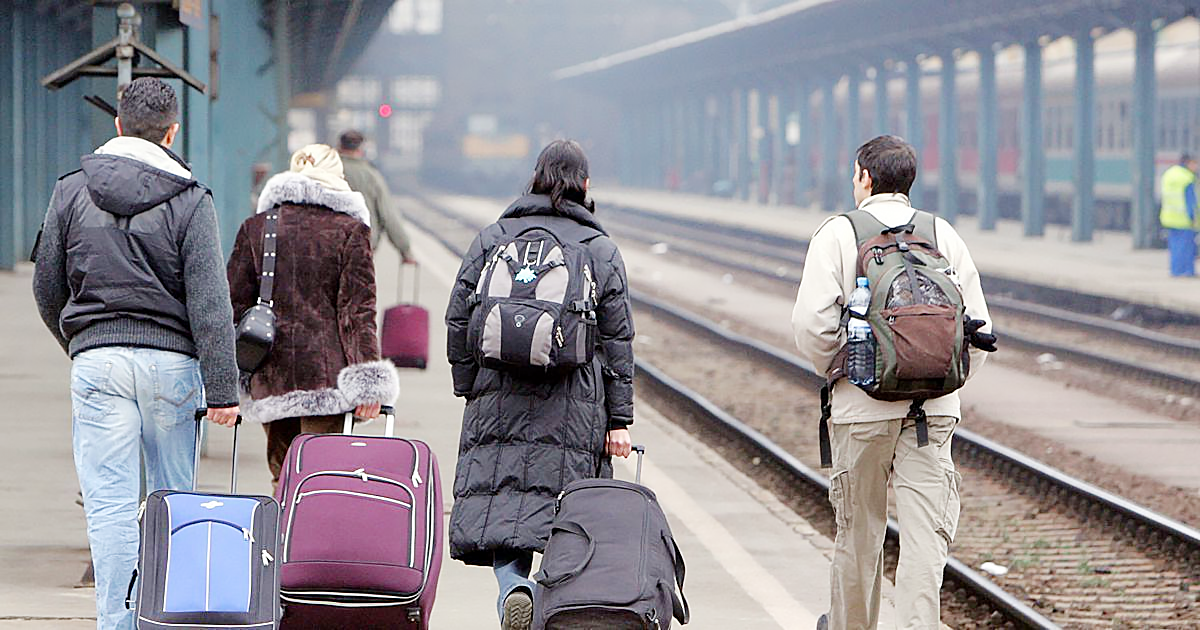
x: 1083, y: 218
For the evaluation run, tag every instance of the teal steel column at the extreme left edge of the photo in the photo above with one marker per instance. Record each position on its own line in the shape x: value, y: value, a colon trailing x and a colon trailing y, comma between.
x: 10, y: 131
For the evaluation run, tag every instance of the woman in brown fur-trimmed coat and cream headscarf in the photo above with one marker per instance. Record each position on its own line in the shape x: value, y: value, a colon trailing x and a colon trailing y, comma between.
x: 326, y: 358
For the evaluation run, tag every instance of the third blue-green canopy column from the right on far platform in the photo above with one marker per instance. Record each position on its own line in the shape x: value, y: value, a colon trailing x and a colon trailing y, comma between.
x: 1033, y: 154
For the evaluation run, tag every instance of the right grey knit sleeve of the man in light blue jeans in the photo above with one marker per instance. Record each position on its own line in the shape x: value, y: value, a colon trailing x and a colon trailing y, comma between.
x: 209, y: 311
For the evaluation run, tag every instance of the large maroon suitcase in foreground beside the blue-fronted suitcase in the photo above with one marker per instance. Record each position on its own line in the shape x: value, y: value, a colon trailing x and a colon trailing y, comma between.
x: 363, y: 532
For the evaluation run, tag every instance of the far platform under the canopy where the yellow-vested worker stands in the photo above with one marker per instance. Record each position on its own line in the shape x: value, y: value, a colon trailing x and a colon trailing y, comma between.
x: 1108, y: 267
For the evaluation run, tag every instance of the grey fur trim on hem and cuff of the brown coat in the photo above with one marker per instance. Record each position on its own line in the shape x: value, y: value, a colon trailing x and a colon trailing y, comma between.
x: 357, y: 385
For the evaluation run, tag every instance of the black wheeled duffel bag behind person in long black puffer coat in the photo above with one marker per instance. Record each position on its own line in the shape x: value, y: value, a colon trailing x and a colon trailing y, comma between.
x: 611, y: 562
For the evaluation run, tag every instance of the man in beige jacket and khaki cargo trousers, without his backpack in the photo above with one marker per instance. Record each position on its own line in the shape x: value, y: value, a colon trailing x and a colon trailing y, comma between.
x: 873, y: 441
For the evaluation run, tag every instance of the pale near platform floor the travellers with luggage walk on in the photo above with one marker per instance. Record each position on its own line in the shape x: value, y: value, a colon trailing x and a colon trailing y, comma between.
x: 776, y: 578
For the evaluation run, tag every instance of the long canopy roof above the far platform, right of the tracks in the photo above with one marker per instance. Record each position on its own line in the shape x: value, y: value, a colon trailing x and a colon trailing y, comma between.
x: 831, y: 37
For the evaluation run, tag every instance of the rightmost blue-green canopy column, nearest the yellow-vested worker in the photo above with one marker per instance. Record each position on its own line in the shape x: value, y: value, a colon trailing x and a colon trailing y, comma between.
x: 1144, y: 218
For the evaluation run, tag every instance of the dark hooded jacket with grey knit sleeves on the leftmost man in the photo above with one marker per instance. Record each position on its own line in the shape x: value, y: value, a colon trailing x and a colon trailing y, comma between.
x: 130, y: 256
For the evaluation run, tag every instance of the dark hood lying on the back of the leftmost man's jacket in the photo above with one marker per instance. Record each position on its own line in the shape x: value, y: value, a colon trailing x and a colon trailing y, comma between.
x: 127, y: 187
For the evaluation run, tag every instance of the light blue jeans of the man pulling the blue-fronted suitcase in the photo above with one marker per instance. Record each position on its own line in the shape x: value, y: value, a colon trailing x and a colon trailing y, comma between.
x: 129, y: 404
